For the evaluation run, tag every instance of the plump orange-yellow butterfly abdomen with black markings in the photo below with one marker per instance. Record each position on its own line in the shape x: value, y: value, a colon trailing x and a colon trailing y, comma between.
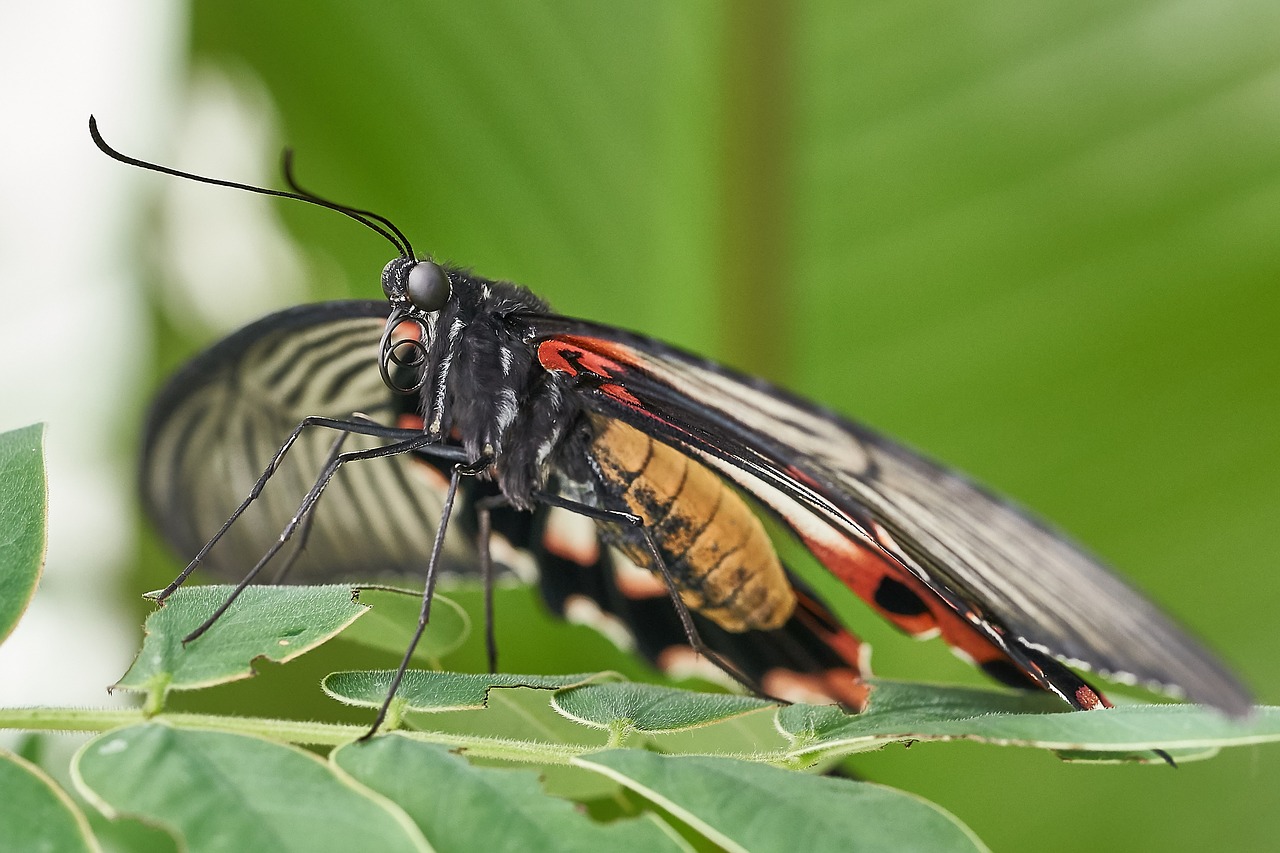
x: 712, y: 542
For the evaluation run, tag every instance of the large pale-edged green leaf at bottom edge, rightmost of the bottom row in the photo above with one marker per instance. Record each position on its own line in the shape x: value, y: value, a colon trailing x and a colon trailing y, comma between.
x: 753, y: 808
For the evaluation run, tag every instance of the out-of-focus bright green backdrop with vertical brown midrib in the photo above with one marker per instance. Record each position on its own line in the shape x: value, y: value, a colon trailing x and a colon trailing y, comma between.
x: 1036, y: 240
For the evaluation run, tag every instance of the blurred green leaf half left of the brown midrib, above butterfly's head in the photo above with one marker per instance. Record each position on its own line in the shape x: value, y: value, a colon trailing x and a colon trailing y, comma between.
x: 556, y: 144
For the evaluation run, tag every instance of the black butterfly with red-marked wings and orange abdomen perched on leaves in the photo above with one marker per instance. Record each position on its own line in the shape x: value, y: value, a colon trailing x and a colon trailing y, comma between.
x: 630, y: 478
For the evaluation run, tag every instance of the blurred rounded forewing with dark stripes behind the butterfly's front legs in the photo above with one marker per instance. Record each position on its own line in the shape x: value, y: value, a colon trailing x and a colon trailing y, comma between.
x: 218, y: 422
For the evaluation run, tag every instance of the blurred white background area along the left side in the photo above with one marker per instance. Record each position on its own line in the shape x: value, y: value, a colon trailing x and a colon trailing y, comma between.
x: 76, y: 230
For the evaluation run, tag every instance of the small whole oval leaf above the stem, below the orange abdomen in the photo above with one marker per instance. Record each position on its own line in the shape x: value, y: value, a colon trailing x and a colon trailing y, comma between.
x: 650, y: 708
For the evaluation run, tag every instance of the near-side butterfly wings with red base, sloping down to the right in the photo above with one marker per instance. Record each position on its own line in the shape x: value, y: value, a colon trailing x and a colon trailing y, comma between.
x: 929, y: 549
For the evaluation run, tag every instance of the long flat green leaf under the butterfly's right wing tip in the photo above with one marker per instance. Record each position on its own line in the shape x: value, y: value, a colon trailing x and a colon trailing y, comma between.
x: 909, y: 713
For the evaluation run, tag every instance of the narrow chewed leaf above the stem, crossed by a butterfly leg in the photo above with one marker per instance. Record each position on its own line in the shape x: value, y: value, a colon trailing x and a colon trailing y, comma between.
x: 423, y: 691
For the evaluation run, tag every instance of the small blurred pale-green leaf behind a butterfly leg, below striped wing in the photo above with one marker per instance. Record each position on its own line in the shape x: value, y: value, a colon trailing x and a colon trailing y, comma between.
x: 392, y: 621
